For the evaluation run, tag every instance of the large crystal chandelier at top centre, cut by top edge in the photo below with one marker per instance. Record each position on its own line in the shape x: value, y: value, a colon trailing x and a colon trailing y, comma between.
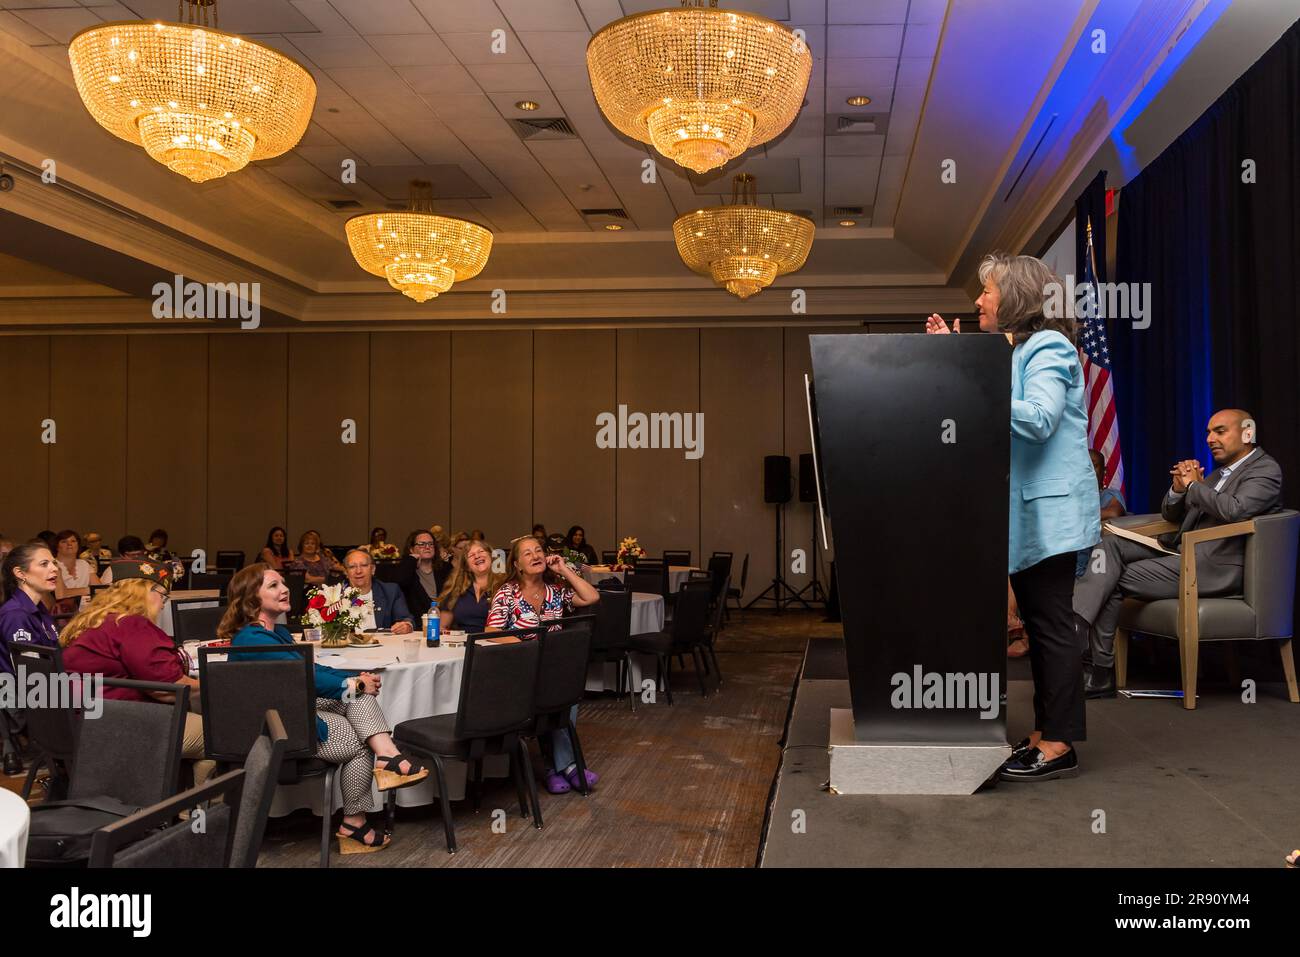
x: 699, y: 84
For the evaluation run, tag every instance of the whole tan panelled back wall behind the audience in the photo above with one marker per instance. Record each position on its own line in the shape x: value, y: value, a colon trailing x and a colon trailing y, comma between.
x: 220, y: 438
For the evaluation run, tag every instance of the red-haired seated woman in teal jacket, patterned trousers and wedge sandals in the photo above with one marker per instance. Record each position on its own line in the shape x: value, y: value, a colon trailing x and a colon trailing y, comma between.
x: 350, y: 728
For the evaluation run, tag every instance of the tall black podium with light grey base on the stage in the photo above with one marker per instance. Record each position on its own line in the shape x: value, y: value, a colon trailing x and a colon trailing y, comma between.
x: 913, y: 443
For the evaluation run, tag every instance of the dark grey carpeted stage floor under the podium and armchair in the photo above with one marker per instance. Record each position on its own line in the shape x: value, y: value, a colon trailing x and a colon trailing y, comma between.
x: 1217, y: 787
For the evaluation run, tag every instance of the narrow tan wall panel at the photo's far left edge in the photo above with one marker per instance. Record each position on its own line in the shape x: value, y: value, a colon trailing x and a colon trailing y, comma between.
x: 25, y: 376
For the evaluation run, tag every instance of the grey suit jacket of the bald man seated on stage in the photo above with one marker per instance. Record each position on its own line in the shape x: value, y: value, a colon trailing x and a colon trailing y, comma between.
x: 1254, y: 488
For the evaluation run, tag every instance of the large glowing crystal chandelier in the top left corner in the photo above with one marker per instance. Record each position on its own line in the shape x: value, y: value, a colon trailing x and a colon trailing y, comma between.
x: 201, y: 102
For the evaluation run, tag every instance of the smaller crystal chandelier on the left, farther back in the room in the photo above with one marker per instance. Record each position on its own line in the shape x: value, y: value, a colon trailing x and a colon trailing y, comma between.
x: 418, y: 253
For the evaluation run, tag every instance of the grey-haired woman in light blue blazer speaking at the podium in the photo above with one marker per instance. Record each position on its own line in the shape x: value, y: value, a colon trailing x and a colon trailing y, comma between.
x: 1054, y: 501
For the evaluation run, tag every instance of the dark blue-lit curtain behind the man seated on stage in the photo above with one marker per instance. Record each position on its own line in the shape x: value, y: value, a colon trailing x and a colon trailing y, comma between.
x: 1223, y: 258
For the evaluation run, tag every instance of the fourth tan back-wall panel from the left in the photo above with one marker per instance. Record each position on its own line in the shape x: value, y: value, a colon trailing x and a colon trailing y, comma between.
x: 248, y: 439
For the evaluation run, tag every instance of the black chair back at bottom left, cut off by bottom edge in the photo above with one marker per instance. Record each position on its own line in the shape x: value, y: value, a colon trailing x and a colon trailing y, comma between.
x: 137, y: 842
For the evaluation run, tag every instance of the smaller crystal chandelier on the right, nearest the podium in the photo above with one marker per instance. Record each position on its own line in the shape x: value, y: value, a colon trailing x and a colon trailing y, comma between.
x: 744, y: 246
